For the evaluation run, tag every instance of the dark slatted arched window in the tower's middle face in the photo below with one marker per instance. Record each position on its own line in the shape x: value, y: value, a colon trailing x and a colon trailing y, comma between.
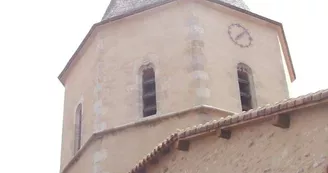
x: 149, y: 92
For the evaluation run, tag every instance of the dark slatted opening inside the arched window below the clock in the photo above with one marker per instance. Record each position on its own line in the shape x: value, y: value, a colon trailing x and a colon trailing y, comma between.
x: 244, y: 89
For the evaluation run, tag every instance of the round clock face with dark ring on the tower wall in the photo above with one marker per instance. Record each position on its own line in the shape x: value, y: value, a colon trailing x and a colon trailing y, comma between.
x: 240, y: 35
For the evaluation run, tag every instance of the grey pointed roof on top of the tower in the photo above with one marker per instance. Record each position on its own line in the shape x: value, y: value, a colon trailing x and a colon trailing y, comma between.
x: 121, y: 7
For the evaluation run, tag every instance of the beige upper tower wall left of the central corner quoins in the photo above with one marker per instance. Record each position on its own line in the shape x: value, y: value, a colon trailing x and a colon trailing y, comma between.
x: 106, y: 78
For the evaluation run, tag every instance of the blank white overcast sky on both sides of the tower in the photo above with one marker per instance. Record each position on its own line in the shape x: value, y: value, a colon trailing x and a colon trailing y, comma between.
x: 37, y: 38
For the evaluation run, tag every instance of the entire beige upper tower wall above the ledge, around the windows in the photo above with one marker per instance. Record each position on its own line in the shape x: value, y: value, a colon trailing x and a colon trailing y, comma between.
x: 194, y: 59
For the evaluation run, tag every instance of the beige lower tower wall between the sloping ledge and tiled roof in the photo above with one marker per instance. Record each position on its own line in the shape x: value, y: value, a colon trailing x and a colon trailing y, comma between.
x: 119, y: 150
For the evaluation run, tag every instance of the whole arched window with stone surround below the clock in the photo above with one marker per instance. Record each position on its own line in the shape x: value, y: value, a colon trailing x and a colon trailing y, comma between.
x: 245, y: 86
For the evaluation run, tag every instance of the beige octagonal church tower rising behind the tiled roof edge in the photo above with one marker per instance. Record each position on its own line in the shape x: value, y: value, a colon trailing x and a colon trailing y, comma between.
x: 150, y: 67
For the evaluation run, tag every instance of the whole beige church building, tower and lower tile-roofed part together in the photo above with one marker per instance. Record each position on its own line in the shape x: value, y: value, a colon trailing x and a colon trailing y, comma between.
x: 188, y: 86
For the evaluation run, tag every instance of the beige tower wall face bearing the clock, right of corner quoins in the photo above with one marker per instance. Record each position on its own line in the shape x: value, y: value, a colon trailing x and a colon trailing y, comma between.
x: 221, y: 57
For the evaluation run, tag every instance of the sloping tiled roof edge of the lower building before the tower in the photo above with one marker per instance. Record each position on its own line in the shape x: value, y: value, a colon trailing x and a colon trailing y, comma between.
x: 283, y: 106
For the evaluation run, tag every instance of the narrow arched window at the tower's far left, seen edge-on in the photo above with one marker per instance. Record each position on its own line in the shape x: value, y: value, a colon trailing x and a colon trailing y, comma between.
x: 78, y: 128
